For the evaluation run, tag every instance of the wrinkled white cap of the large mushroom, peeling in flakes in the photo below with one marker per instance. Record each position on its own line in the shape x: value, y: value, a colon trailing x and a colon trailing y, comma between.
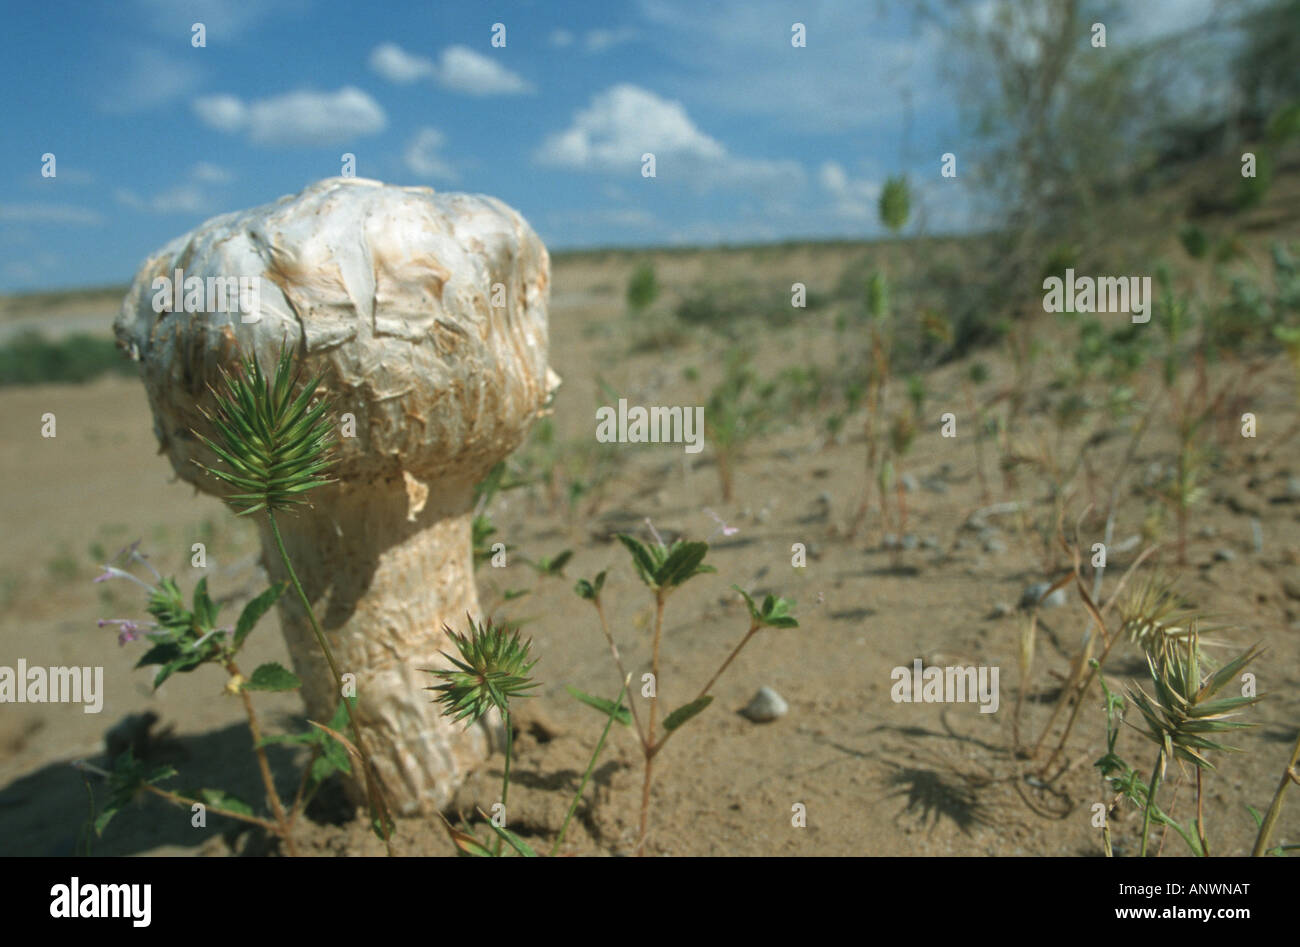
x: 385, y: 291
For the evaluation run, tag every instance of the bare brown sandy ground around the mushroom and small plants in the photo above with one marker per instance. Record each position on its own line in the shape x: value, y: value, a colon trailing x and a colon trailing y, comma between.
x: 876, y: 777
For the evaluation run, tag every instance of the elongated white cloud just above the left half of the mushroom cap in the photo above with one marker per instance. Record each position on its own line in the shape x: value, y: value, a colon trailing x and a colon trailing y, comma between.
x: 304, y: 118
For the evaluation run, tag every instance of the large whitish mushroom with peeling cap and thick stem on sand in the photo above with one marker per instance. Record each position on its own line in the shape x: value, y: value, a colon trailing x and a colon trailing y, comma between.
x: 427, y: 315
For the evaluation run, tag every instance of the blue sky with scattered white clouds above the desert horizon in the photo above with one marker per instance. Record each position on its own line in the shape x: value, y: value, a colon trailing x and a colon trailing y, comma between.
x: 755, y: 140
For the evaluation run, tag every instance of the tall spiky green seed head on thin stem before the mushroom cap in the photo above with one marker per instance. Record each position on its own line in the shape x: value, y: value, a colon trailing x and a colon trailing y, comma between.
x: 276, y: 446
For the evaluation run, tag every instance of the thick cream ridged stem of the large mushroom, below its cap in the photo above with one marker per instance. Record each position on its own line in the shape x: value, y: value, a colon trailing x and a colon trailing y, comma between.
x: 383, y: 581
